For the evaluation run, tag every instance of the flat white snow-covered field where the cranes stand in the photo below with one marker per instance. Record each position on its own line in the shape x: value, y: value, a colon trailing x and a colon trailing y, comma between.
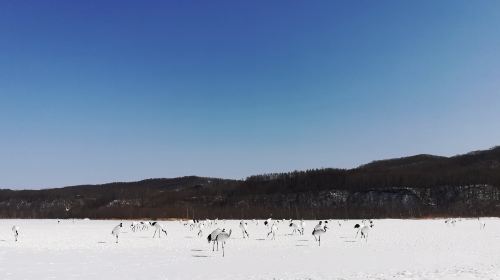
x: 396, y: 249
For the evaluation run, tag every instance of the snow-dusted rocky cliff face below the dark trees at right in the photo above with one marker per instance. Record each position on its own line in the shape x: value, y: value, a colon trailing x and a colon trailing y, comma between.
x: 389, y: 202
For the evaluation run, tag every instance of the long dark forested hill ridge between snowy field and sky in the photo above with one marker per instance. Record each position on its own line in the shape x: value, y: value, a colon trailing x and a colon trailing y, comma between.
x: 416, y: 186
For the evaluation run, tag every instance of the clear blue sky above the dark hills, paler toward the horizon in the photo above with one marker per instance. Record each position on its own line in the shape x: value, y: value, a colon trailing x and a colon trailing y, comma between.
x: 101, y: 91
